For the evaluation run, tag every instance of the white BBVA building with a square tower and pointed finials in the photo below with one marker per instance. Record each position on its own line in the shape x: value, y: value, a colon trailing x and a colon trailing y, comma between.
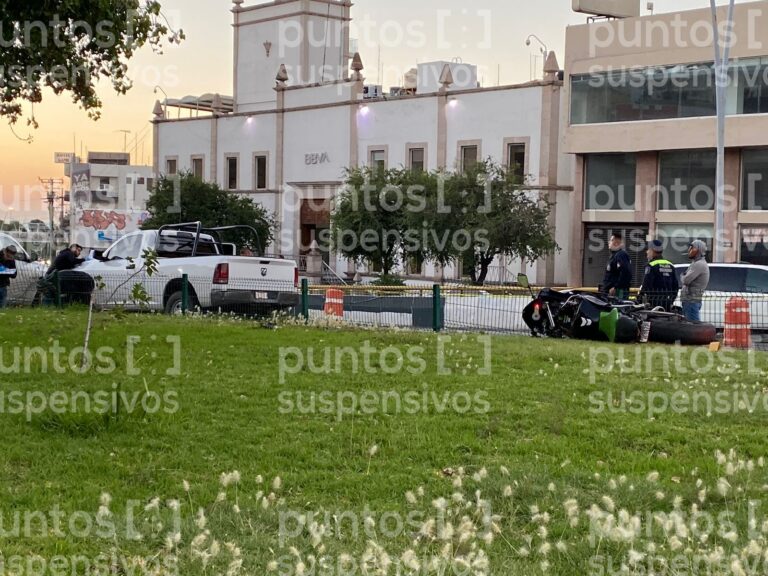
x: 302, y: 113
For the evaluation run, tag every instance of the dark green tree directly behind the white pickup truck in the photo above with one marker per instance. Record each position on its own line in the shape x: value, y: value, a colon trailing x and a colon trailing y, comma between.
x: 185, y: 198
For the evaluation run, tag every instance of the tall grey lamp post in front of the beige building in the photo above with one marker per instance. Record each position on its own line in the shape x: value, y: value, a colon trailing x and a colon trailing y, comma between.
x: 722, y: 58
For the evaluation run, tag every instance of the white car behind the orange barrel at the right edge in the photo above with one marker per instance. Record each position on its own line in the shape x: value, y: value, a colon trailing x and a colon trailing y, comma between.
x: 748, y: 281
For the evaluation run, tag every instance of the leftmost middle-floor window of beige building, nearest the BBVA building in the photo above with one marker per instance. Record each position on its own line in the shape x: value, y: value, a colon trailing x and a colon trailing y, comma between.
x: 610, y: 182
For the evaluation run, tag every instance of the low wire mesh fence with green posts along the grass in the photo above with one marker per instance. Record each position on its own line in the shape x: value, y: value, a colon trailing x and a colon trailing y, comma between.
x: 494, y: 309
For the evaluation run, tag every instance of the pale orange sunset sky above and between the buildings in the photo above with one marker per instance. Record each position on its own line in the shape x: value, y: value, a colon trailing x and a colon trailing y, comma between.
x: 203, y: 63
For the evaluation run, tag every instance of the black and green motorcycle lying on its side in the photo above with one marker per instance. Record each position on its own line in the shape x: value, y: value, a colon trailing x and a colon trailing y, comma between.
x: 588, y: 316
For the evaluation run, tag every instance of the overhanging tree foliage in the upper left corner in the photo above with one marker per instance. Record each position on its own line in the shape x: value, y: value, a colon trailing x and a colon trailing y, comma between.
x: 68, y: 46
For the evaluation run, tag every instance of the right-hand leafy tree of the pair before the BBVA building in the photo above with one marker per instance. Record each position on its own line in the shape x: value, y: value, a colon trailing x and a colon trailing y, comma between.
x: 485, y: 213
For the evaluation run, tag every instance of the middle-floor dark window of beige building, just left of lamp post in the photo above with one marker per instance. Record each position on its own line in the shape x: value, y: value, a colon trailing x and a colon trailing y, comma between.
x: 687, y: 180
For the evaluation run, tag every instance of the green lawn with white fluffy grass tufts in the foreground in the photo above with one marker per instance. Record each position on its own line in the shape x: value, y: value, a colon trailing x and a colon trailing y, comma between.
x: 421, y: 458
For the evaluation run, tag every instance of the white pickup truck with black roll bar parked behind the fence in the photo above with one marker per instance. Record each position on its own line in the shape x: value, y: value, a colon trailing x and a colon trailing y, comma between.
x: 219, y: 280
